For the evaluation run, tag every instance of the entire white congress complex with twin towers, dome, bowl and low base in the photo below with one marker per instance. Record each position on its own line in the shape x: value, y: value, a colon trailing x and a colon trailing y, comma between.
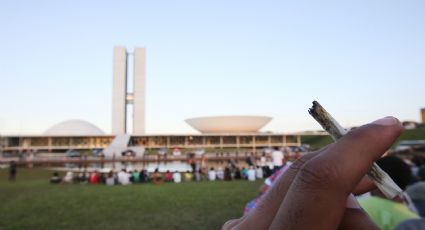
x: 226, y: 132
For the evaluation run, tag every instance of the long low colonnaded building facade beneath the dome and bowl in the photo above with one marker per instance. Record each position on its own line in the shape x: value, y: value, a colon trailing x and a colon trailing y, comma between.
x: 210, y: 141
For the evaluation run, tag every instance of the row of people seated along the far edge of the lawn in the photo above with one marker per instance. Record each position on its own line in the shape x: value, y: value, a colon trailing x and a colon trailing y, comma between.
x: 256, y: 169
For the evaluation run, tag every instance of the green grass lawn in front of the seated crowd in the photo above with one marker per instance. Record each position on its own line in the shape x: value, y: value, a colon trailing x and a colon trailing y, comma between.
x: 32, y: 203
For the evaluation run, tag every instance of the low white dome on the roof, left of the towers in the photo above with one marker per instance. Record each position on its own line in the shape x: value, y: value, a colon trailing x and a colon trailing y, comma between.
x: 74, y: 128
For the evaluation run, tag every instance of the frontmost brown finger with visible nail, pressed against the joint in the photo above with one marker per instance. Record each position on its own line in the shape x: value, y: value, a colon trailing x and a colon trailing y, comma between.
x: 317, y: 196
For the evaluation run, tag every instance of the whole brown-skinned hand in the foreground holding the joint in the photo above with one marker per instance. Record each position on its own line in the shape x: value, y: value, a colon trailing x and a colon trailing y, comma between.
x: 317, y: 190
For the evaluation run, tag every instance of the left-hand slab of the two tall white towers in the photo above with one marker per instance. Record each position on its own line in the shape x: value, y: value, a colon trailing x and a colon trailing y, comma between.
x: 119, y: 91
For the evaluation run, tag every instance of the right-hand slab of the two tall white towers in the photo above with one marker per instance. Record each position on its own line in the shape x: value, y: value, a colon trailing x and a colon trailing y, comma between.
x: 139, y: 91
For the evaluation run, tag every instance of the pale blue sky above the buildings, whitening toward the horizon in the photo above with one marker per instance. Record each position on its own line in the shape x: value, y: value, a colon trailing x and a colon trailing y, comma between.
x: 361, y: 59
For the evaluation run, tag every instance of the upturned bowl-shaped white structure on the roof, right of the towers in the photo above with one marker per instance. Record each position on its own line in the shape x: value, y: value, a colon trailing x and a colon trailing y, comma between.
x: 229, y: 124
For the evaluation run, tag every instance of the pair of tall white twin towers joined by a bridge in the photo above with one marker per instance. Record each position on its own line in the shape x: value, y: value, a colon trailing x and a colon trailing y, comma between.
x: 123, y: 96
